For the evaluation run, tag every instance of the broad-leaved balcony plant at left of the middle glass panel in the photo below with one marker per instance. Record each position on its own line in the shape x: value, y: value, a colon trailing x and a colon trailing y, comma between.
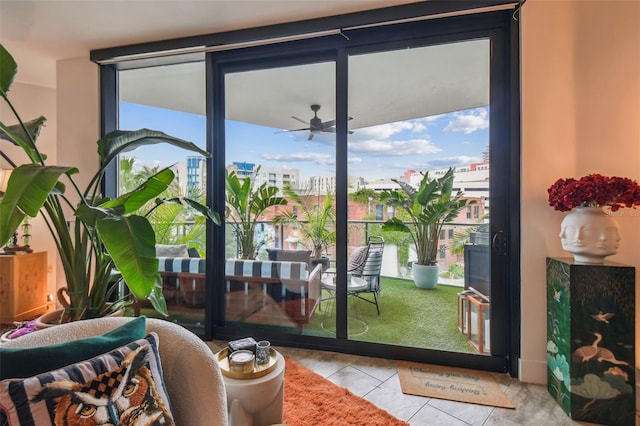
x: 244, y: 204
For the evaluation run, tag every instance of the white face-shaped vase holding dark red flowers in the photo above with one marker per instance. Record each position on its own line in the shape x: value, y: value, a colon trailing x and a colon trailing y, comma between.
x: 590, y: 235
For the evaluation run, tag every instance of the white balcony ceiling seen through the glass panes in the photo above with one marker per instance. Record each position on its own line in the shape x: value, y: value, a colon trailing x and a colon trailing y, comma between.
x: 384, y: 87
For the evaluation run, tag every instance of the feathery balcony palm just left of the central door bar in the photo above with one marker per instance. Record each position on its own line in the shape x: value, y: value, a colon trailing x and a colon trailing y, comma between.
x: 315, y: 220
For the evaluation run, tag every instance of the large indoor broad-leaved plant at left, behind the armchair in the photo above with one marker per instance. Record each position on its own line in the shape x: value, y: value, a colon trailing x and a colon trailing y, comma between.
x: 105, y: 239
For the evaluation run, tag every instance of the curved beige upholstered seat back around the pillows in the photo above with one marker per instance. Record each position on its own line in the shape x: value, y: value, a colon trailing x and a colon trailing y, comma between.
x: 191, y: 374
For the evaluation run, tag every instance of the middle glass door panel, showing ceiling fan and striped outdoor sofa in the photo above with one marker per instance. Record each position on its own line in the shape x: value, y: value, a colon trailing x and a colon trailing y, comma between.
x: 279, y: 232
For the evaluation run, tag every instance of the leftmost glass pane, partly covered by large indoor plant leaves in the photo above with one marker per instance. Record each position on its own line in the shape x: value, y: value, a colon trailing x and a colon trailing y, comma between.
x: 146, y: 101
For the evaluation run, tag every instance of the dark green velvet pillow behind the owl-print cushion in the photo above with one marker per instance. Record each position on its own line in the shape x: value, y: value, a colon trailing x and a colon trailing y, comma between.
x: 27, y: 362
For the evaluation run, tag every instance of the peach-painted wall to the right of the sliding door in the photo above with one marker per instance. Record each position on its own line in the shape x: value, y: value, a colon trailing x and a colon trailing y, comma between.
x: 580, y: 115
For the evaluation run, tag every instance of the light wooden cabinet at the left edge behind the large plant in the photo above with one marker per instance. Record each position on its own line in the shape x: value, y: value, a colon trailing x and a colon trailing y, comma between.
x: 23, y: 286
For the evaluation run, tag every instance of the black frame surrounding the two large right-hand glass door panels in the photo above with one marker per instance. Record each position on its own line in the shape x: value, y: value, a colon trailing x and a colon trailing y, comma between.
x: 338, y: 48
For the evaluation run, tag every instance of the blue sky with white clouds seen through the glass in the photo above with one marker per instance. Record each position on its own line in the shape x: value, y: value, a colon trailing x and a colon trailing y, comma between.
x: 383, y: 151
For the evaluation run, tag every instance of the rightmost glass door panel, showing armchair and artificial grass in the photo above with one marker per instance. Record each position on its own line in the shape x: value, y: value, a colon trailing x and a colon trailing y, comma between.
x: 424, y: 111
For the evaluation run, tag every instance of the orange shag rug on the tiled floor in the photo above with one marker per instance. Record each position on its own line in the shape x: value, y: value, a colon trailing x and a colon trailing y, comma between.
x: 310, y: 399
